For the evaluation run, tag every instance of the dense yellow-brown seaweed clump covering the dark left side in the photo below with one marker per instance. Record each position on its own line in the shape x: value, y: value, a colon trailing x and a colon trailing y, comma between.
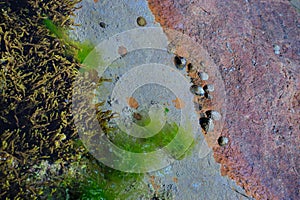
x: 36, y: 129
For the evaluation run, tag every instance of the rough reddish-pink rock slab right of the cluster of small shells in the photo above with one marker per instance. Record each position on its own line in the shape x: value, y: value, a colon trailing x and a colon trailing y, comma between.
x: 262, y: 85
